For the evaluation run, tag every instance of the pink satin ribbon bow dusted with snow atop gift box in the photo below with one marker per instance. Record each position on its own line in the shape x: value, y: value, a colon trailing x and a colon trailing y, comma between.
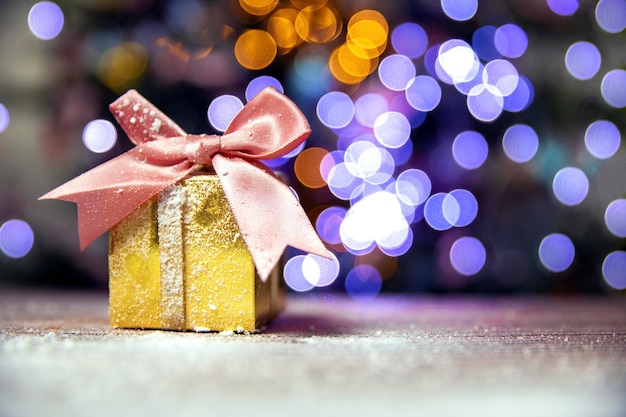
x: 268, y: 214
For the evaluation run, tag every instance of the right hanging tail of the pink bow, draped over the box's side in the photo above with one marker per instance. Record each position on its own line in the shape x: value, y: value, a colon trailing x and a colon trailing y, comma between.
x: 268, y: 214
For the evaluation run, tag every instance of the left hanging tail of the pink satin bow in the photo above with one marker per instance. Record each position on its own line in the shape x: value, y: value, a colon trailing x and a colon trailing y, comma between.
x: 109, y: 192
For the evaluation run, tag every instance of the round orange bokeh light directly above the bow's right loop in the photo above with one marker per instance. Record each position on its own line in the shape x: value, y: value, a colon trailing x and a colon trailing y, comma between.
x: 255, y: 49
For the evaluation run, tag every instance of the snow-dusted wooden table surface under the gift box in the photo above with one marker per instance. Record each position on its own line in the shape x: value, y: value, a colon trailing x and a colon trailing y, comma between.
x: 325, y: 356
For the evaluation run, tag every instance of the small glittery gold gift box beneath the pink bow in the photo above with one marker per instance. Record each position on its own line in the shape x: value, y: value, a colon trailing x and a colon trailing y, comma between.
x: 179, y: 262
